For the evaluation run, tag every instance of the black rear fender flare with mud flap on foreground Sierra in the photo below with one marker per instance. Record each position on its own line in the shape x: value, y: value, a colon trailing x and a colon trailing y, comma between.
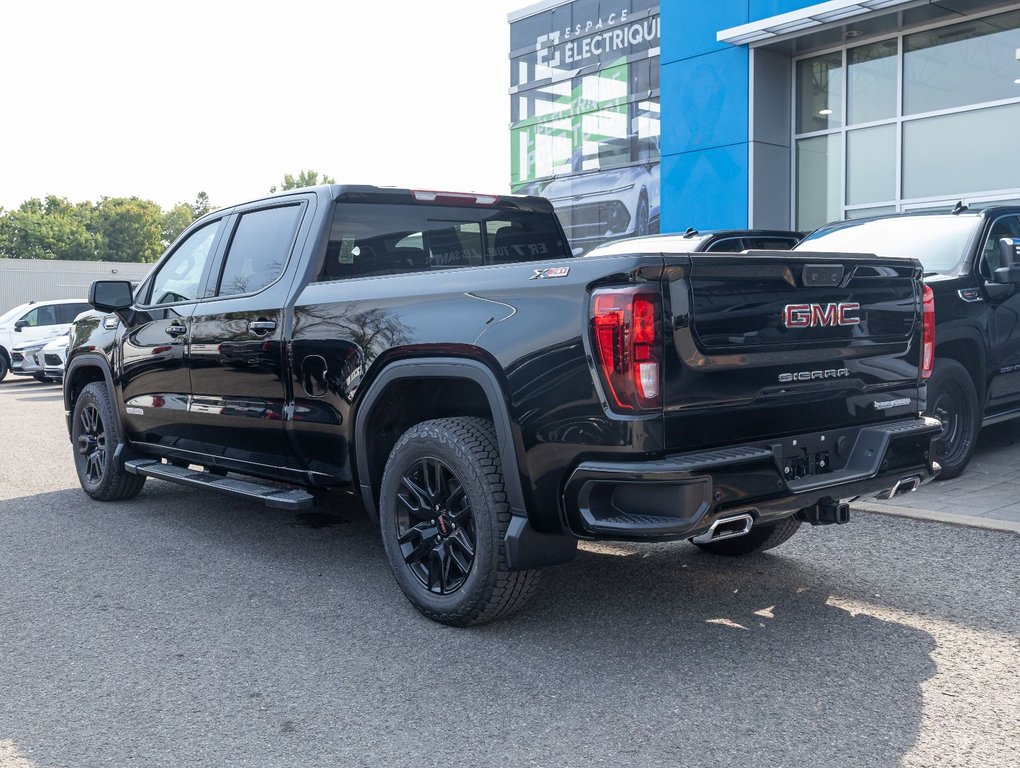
x: 527, y: 548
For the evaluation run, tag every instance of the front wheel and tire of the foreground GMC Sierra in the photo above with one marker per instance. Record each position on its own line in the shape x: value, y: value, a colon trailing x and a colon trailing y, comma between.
x: 94, y: 438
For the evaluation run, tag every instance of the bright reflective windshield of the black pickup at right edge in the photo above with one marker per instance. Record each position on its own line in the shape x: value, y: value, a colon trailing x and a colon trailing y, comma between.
x: 940, y: 243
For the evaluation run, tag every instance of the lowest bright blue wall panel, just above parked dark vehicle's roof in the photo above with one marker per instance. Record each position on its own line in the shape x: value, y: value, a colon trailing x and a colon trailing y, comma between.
x: 707, y: 190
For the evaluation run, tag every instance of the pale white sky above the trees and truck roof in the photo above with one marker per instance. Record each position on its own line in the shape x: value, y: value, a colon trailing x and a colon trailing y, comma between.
x: 161, y: 99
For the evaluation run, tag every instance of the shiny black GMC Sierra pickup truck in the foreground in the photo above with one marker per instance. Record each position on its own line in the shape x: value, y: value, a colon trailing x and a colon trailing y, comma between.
x: 493, y: 399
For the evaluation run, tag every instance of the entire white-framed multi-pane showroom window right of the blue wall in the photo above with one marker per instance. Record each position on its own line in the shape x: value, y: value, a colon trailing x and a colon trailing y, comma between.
x: 931, y: 119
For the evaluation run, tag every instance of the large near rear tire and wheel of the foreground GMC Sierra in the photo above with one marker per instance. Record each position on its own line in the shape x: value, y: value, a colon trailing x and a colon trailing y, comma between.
x: 444, y: 518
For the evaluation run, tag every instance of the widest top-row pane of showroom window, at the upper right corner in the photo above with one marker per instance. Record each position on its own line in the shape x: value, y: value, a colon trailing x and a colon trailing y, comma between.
x: 967, y: 64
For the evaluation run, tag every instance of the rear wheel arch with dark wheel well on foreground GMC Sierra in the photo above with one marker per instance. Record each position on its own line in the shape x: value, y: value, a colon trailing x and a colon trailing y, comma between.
x: 409, y: 392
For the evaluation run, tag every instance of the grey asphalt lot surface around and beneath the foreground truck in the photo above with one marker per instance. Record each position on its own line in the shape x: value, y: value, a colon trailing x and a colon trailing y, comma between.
x: 184, y: 629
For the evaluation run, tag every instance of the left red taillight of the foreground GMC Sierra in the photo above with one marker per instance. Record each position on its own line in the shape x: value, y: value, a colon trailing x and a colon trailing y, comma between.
x: 627, y: 336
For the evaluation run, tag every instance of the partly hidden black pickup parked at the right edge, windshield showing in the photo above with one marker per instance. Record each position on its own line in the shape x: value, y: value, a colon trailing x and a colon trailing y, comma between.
x: 975, y: 276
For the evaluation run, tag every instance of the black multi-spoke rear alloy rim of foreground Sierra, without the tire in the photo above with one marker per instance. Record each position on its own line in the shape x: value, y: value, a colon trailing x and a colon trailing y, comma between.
x: 435, y: 527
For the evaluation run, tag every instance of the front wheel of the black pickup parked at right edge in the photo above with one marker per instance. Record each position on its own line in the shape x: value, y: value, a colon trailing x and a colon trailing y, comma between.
x: 953, y: 400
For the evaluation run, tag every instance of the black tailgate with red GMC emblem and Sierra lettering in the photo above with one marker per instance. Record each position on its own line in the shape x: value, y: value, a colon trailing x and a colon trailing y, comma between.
x: 779, y: 343
